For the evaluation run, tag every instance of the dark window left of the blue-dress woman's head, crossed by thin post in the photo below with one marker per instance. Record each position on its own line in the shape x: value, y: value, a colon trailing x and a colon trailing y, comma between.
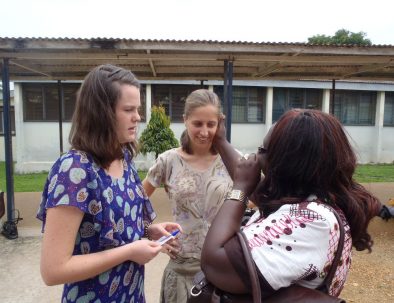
x: 41, y: 101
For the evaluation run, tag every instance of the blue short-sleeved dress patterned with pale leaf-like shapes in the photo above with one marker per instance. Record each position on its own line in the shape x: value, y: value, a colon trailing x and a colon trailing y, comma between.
x: 115, y: 211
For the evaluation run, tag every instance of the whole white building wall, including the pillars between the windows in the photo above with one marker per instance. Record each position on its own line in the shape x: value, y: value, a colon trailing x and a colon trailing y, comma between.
x: 36, y: 145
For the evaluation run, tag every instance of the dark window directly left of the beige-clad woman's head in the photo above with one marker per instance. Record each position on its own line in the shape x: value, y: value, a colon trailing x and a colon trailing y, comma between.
x: 172, y: 98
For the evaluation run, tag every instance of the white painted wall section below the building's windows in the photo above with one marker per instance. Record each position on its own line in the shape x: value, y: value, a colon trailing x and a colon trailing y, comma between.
x: 40, y: 147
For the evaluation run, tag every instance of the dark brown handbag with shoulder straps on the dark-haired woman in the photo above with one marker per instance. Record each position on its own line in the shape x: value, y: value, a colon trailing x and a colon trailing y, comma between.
x: 203, y: 291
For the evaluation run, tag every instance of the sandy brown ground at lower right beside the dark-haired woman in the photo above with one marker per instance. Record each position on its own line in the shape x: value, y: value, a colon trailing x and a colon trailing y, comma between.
x: 371, y: 277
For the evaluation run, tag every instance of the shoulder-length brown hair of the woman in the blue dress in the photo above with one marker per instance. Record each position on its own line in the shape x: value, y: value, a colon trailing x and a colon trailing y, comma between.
x: 93, y: 127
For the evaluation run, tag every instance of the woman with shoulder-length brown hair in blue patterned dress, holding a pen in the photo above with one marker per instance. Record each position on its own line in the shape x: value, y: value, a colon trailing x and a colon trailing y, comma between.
x: 94, y: 208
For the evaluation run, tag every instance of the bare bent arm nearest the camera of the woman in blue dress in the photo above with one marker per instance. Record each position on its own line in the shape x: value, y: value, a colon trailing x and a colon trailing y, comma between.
x: 59, y: 265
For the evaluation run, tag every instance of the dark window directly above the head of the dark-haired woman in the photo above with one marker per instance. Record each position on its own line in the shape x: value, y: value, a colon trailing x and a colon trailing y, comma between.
x: 288, y: 98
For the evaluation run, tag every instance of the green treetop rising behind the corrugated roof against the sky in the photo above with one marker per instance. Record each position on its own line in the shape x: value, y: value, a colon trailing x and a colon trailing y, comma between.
x: 342, y: 36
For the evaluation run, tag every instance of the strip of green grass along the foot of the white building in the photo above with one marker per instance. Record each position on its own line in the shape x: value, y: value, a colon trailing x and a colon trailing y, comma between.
x: 35, y: 182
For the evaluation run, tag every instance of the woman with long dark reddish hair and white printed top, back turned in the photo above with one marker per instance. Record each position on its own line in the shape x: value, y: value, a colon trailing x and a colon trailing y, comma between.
x: 308, y: 165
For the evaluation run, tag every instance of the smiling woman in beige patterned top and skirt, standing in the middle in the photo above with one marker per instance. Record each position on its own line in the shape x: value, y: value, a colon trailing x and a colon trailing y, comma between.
x: 196, y: 181
